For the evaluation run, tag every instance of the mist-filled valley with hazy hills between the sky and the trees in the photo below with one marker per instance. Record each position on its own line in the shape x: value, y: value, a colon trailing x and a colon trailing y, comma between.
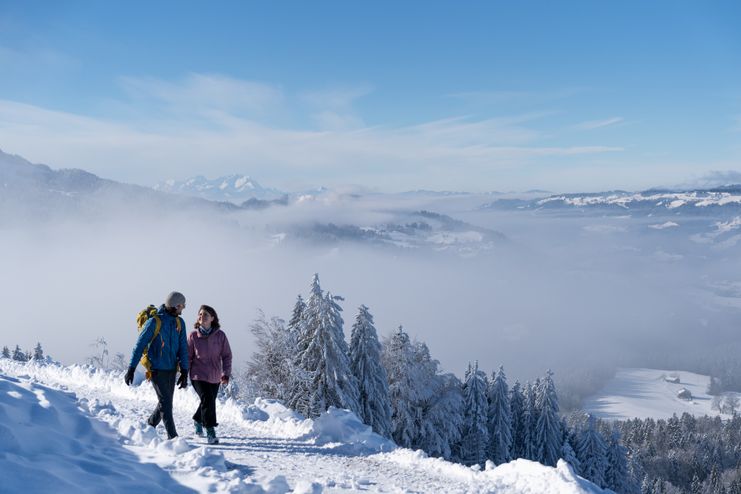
x: 526, y: 282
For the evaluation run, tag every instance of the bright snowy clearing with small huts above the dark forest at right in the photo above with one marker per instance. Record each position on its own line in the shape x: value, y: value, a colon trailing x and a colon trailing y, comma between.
x: 645, y: 393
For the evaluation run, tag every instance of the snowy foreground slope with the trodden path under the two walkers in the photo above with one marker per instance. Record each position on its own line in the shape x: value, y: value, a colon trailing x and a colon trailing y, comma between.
x: 77, y: 429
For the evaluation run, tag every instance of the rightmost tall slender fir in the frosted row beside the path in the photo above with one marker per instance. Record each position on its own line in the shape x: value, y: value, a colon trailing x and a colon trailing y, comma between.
x: 548, y: 436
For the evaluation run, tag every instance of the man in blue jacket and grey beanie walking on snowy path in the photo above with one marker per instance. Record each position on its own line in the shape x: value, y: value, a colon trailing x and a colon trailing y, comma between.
x: 166, y: 350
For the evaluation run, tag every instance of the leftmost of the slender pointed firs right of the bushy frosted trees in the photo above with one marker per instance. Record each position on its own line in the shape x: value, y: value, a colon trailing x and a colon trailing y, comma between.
x: 474, y: 443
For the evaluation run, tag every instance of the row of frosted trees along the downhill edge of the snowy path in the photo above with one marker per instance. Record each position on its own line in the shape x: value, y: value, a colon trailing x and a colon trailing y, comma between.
x: 398, y: 389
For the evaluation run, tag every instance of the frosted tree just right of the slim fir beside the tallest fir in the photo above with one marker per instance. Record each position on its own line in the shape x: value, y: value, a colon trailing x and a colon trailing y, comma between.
x: 398, y: 360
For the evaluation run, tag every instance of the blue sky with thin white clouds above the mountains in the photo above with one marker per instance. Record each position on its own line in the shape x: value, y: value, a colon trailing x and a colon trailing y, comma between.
x: 480, y: 96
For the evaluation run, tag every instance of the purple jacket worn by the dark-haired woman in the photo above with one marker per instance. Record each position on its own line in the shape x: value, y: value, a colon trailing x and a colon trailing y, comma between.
x: 210, y: 356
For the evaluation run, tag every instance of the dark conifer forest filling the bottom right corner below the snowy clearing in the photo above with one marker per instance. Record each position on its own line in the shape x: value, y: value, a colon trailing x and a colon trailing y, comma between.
x: 687, y: 454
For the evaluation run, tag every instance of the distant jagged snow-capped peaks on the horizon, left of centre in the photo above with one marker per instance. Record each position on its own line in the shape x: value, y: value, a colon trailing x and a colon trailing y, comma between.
x: 232, y: 188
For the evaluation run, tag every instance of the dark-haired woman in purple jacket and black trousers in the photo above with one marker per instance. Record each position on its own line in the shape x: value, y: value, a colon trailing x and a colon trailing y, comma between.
x: 210, y: 366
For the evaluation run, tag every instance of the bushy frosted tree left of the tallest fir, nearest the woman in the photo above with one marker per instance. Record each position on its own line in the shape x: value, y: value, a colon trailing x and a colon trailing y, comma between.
x: 271, y: 368
